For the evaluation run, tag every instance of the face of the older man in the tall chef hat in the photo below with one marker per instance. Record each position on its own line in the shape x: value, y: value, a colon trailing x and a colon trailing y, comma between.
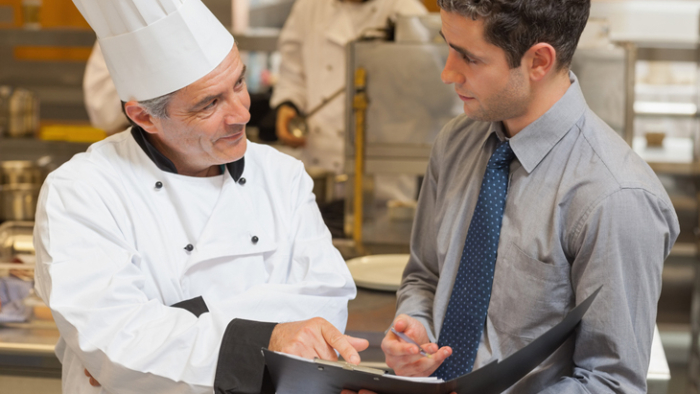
x: 206, y: 122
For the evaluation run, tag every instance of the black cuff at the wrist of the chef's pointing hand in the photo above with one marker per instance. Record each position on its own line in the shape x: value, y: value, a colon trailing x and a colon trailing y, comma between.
x: 241, y: 365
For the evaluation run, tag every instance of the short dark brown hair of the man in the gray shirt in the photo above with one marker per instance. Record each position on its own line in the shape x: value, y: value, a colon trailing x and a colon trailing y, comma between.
x: 516, y: 25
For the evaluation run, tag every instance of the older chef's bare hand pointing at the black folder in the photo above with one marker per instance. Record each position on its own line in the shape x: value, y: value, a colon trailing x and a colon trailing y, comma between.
x: 316, y: 338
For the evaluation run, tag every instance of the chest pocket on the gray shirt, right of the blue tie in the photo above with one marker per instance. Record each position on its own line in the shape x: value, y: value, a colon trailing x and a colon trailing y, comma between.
x: 529, y: 296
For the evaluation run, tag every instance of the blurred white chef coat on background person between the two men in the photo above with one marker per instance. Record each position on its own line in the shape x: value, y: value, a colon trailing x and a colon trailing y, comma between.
x: 312, y: 45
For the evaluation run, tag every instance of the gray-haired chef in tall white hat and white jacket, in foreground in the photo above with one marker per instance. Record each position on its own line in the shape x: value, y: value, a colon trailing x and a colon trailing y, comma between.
x: 172, y: 252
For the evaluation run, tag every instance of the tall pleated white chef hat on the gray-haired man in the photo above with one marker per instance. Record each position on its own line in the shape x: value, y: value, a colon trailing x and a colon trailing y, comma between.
x: 155, y: 47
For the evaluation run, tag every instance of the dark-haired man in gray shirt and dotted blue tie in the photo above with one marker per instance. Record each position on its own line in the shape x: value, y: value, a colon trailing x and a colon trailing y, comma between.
x: 580, y: 210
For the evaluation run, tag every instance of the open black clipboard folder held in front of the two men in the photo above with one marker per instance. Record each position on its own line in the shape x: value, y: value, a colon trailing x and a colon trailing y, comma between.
x: 292, y: 375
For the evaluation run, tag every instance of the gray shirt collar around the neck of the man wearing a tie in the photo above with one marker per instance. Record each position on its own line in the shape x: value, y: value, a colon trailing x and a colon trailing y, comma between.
x: 535, y: 141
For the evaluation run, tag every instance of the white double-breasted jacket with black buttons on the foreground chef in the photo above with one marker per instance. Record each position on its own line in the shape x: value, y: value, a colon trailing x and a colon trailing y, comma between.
x: 118, y: 245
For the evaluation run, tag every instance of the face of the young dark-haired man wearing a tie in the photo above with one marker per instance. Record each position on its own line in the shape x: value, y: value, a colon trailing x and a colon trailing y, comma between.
x: 490, y: 89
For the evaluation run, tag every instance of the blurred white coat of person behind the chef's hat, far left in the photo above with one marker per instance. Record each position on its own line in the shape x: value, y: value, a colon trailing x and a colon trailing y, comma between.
x: 102, y: 102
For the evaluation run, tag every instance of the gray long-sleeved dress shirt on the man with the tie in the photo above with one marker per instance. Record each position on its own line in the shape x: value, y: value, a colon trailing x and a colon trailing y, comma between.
x: 582, y: 211
